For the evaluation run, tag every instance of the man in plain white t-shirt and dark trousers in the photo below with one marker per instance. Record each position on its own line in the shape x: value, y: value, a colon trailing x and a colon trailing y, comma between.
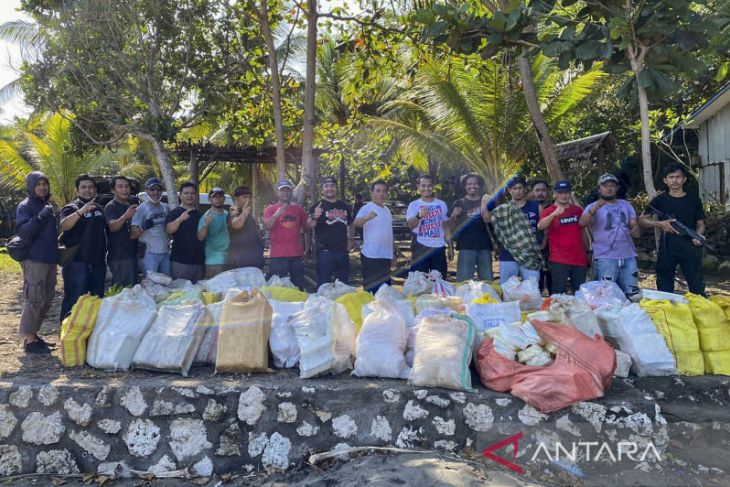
x: 376, y: 253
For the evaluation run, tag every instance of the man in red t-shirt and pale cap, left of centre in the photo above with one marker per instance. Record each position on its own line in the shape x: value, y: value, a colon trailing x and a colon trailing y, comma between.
x: 286, y: 221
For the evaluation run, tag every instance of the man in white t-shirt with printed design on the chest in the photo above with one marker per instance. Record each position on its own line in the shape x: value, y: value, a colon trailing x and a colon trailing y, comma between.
x: 426, y: 217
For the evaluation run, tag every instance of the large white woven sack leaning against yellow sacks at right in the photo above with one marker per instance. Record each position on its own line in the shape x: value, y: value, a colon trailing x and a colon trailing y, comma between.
x: 633, y: 332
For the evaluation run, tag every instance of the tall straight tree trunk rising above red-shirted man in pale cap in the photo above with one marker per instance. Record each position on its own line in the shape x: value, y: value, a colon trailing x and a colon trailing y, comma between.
x: 306, y: 185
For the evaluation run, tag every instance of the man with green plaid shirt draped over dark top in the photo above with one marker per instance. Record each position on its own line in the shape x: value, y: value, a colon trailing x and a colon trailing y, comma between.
x: 515, y: 224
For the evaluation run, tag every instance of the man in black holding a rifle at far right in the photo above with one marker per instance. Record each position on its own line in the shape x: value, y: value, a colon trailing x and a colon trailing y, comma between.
x: 681, y: 219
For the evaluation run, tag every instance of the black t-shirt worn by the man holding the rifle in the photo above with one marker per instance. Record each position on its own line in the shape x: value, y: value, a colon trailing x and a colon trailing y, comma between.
x: 688, y: 210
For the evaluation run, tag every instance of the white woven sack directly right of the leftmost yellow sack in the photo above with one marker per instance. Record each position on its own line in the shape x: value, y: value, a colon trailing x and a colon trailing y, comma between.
x: 122, y: 321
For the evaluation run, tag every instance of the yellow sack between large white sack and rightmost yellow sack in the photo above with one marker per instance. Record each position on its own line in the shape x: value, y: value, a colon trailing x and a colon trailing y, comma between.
x: 676, y: 324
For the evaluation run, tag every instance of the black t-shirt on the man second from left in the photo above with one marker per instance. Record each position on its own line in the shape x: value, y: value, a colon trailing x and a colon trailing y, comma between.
x: 89, y: 234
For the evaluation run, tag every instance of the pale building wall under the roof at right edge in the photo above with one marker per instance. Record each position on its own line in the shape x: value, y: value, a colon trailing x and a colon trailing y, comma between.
x: 714, y: 150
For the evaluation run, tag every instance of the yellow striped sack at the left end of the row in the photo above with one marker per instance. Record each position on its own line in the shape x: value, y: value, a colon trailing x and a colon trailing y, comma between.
x: 76, y: 329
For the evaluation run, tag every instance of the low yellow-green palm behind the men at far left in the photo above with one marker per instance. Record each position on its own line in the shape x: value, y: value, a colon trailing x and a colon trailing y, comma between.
x: 45, y: 144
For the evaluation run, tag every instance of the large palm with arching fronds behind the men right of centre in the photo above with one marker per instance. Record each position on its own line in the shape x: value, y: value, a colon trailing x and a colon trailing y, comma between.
x: 473, y: 114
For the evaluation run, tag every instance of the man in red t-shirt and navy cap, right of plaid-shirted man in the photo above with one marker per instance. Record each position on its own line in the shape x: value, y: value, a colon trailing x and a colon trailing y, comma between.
x: 568, y: 259
